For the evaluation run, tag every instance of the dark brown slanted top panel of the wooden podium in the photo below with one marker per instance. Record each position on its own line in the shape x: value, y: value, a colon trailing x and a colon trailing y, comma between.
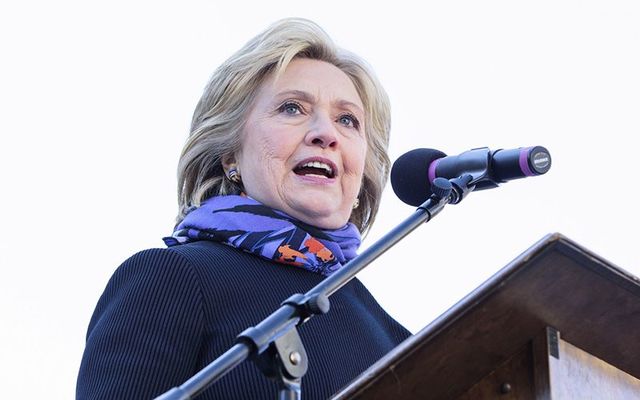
x: 592, y: 303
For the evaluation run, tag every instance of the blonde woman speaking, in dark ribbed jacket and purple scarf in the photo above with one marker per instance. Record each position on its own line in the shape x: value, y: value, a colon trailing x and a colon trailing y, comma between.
x: 281, y: 174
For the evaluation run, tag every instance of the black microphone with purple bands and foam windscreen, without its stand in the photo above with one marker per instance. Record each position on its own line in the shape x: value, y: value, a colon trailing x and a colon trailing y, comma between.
x: 413, y: 172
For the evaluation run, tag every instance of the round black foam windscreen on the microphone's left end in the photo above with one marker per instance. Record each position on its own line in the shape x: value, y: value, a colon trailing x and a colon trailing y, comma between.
x: 410, y: 175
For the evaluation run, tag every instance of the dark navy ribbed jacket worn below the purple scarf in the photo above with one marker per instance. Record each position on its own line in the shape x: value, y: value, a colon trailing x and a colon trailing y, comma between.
x: 167, y: 313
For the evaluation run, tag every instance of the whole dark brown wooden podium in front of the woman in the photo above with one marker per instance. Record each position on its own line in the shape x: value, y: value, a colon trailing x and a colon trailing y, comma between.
x: 557, y: 323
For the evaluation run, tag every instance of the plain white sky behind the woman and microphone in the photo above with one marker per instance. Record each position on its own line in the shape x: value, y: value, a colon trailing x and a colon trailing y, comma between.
x: 96, y: 100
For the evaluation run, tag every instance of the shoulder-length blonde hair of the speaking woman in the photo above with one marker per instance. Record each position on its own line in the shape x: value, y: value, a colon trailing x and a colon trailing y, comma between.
x: 222, y: 110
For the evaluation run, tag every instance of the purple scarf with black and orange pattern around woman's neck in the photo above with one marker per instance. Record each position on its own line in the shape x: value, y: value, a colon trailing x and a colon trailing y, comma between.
x: 244, y: 223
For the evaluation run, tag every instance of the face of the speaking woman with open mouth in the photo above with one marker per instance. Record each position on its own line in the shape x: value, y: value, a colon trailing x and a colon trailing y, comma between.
x: 304, y: 144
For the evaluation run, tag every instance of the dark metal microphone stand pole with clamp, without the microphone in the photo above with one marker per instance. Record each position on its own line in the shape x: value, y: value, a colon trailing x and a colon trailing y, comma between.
x: 275, y: 344
